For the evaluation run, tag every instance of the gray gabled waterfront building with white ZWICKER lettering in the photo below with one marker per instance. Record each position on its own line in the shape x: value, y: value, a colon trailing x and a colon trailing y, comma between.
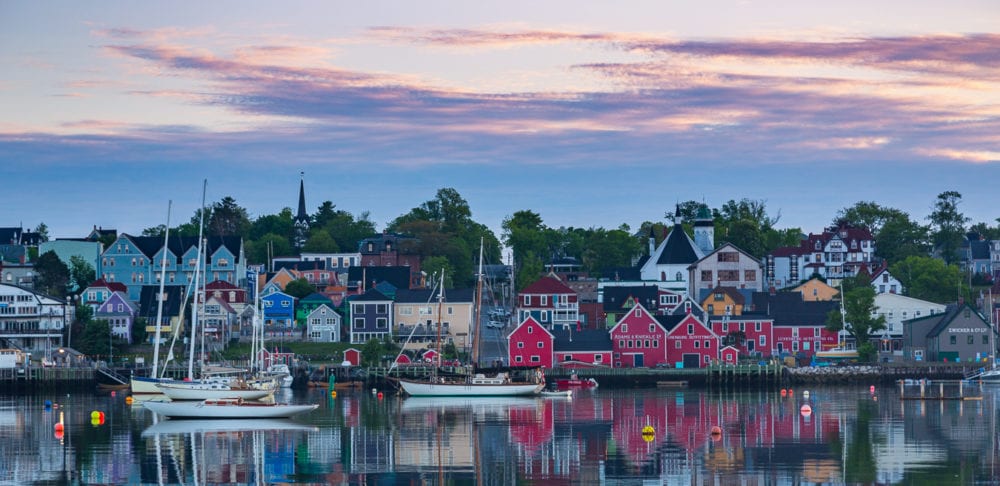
x: 959, y: 334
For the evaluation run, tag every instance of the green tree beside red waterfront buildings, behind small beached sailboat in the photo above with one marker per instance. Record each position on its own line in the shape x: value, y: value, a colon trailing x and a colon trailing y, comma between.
x: 857, y: 319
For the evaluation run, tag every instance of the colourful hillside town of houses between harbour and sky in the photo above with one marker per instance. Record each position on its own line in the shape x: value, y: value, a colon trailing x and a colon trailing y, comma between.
x: 689, y: 299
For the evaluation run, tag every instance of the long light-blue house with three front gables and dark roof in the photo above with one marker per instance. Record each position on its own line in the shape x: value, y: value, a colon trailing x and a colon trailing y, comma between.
x: 135, y: 261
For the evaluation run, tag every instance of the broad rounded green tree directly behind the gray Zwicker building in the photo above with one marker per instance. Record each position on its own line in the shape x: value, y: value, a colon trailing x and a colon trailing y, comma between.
x: 931, y: 279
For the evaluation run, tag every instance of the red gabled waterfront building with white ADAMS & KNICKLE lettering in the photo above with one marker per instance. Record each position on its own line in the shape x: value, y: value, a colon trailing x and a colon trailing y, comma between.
x: 638, y: 339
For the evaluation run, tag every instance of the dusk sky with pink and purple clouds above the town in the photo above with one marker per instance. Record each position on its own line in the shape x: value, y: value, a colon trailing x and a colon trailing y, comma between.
x: 589, y: 113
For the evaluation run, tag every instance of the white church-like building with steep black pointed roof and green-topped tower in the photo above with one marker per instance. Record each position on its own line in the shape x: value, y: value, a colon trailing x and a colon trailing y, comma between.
x: 668, y: 263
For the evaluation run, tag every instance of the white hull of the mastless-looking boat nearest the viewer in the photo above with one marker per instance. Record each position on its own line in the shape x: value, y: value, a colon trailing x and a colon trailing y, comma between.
x: 226, y: 409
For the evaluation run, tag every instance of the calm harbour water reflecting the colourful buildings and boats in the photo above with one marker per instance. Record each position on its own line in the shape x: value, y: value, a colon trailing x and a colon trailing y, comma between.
x: 851, y: 436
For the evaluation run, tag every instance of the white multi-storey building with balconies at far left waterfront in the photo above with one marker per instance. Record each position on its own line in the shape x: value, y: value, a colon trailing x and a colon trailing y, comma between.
x: 32, y: 321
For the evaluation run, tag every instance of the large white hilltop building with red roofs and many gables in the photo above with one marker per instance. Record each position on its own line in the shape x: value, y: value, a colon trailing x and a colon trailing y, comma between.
x: 836, y: 253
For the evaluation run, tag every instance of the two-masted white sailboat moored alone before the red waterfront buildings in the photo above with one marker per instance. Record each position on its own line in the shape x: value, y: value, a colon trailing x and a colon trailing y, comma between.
x: 478, y: 384
